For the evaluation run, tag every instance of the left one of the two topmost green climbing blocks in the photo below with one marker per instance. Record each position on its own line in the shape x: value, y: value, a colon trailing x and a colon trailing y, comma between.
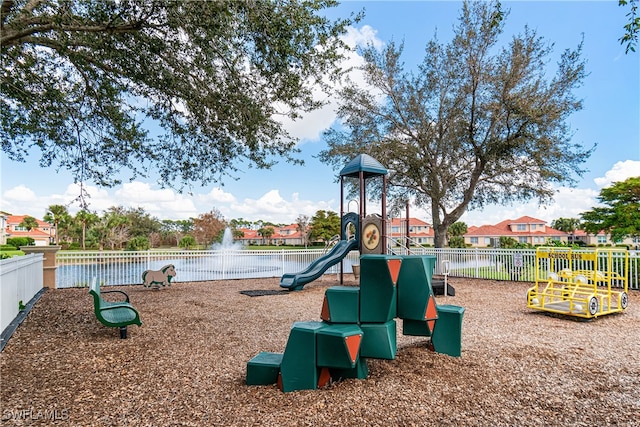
x: 378, y: 297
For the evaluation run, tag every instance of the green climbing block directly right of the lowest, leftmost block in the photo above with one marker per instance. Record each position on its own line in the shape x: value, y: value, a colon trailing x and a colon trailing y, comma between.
x: 298, y: 370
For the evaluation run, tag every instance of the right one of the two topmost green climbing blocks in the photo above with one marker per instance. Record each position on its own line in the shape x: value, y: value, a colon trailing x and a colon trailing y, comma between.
x: 414, y: 286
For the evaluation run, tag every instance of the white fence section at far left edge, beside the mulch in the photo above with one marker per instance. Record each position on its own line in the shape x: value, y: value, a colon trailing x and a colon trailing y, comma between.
x: 20, y: 280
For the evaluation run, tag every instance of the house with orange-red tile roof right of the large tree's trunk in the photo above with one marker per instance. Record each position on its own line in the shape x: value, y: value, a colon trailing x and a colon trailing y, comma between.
x: 525, y: 229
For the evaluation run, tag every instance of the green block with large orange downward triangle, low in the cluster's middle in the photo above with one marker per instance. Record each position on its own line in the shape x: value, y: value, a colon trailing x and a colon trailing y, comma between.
x: 338, y: 345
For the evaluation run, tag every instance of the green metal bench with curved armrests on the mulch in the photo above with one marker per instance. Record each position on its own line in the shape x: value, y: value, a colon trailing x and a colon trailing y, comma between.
x: 116, y: 314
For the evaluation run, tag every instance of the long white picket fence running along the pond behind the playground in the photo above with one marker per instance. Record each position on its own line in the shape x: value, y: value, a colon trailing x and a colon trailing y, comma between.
x: 125, y: 268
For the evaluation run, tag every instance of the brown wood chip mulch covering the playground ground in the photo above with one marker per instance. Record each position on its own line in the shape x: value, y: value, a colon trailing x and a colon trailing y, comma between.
x: 186, y: 365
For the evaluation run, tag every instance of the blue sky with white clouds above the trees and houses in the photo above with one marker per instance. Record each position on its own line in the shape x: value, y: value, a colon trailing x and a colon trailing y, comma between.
x: 610, y: 117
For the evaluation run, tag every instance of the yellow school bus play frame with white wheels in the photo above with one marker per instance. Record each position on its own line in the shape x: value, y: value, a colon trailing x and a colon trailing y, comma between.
x: 580, y: 283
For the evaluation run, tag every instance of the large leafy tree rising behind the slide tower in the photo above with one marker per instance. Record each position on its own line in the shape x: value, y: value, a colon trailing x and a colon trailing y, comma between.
x: 480, y: 123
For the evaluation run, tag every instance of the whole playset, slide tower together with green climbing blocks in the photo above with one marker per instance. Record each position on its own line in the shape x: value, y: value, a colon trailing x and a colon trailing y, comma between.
x: 359, y: 322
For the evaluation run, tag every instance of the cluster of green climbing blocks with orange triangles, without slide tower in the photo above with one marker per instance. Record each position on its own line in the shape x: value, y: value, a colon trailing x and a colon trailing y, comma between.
x: 359, y: 323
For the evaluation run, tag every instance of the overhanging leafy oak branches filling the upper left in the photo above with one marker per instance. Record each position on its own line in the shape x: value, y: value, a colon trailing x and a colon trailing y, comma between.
x: 82, y: 79
